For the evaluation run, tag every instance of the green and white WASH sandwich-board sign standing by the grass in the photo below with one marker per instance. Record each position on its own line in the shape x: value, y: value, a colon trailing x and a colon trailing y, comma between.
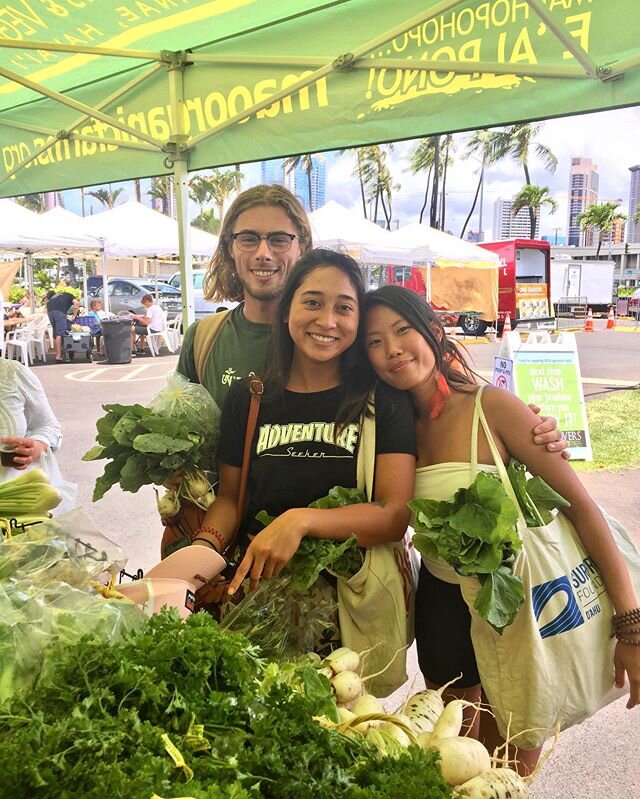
x: 547, y: 373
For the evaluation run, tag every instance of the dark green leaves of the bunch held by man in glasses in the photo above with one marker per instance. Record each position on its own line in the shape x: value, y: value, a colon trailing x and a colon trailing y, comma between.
x: 148, y: 446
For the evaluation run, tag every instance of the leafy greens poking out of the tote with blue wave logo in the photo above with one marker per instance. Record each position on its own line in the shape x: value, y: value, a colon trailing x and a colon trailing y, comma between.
x: 476, y: 533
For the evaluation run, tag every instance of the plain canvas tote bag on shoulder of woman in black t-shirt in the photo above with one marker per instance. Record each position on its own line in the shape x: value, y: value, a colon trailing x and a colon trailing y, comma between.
x: 375, y: 606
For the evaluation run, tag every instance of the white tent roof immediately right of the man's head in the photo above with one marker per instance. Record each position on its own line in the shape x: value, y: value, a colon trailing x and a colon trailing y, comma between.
x: 338, y: 228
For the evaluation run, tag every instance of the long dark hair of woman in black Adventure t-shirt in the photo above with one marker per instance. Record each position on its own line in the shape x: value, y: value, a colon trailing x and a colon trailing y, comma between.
x: 355, y: 371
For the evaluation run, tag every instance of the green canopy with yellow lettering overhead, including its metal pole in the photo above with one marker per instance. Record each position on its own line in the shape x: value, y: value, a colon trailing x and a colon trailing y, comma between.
x: 93, y: 91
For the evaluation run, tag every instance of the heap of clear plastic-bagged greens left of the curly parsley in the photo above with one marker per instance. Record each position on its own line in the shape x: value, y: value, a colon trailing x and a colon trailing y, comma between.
x: 49, y: 576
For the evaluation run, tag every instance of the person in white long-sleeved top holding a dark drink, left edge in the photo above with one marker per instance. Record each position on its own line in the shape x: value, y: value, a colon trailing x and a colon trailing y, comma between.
x: 29, y: 428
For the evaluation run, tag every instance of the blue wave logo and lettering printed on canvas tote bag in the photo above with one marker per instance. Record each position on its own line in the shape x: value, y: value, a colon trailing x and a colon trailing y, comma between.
x: 575, y: 599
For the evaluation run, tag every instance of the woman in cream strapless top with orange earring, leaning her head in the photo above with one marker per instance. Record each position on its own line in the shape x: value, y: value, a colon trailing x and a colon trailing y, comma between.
x: 408, y: 349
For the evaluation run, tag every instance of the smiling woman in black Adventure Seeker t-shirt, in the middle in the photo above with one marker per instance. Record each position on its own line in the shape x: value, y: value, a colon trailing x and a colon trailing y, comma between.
x: 306, y: 441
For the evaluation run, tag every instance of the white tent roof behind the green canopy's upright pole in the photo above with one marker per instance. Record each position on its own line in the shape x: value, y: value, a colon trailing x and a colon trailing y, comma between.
x: 132, y: 229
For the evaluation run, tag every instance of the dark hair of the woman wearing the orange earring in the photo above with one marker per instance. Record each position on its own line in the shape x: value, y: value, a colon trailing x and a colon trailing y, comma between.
x: 450, y: 358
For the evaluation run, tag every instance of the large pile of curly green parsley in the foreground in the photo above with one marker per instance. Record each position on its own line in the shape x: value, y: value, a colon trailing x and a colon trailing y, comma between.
x: 186, y: 709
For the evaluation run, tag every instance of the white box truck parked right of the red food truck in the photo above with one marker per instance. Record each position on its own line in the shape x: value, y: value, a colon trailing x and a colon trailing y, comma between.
x: 582, y: 282
